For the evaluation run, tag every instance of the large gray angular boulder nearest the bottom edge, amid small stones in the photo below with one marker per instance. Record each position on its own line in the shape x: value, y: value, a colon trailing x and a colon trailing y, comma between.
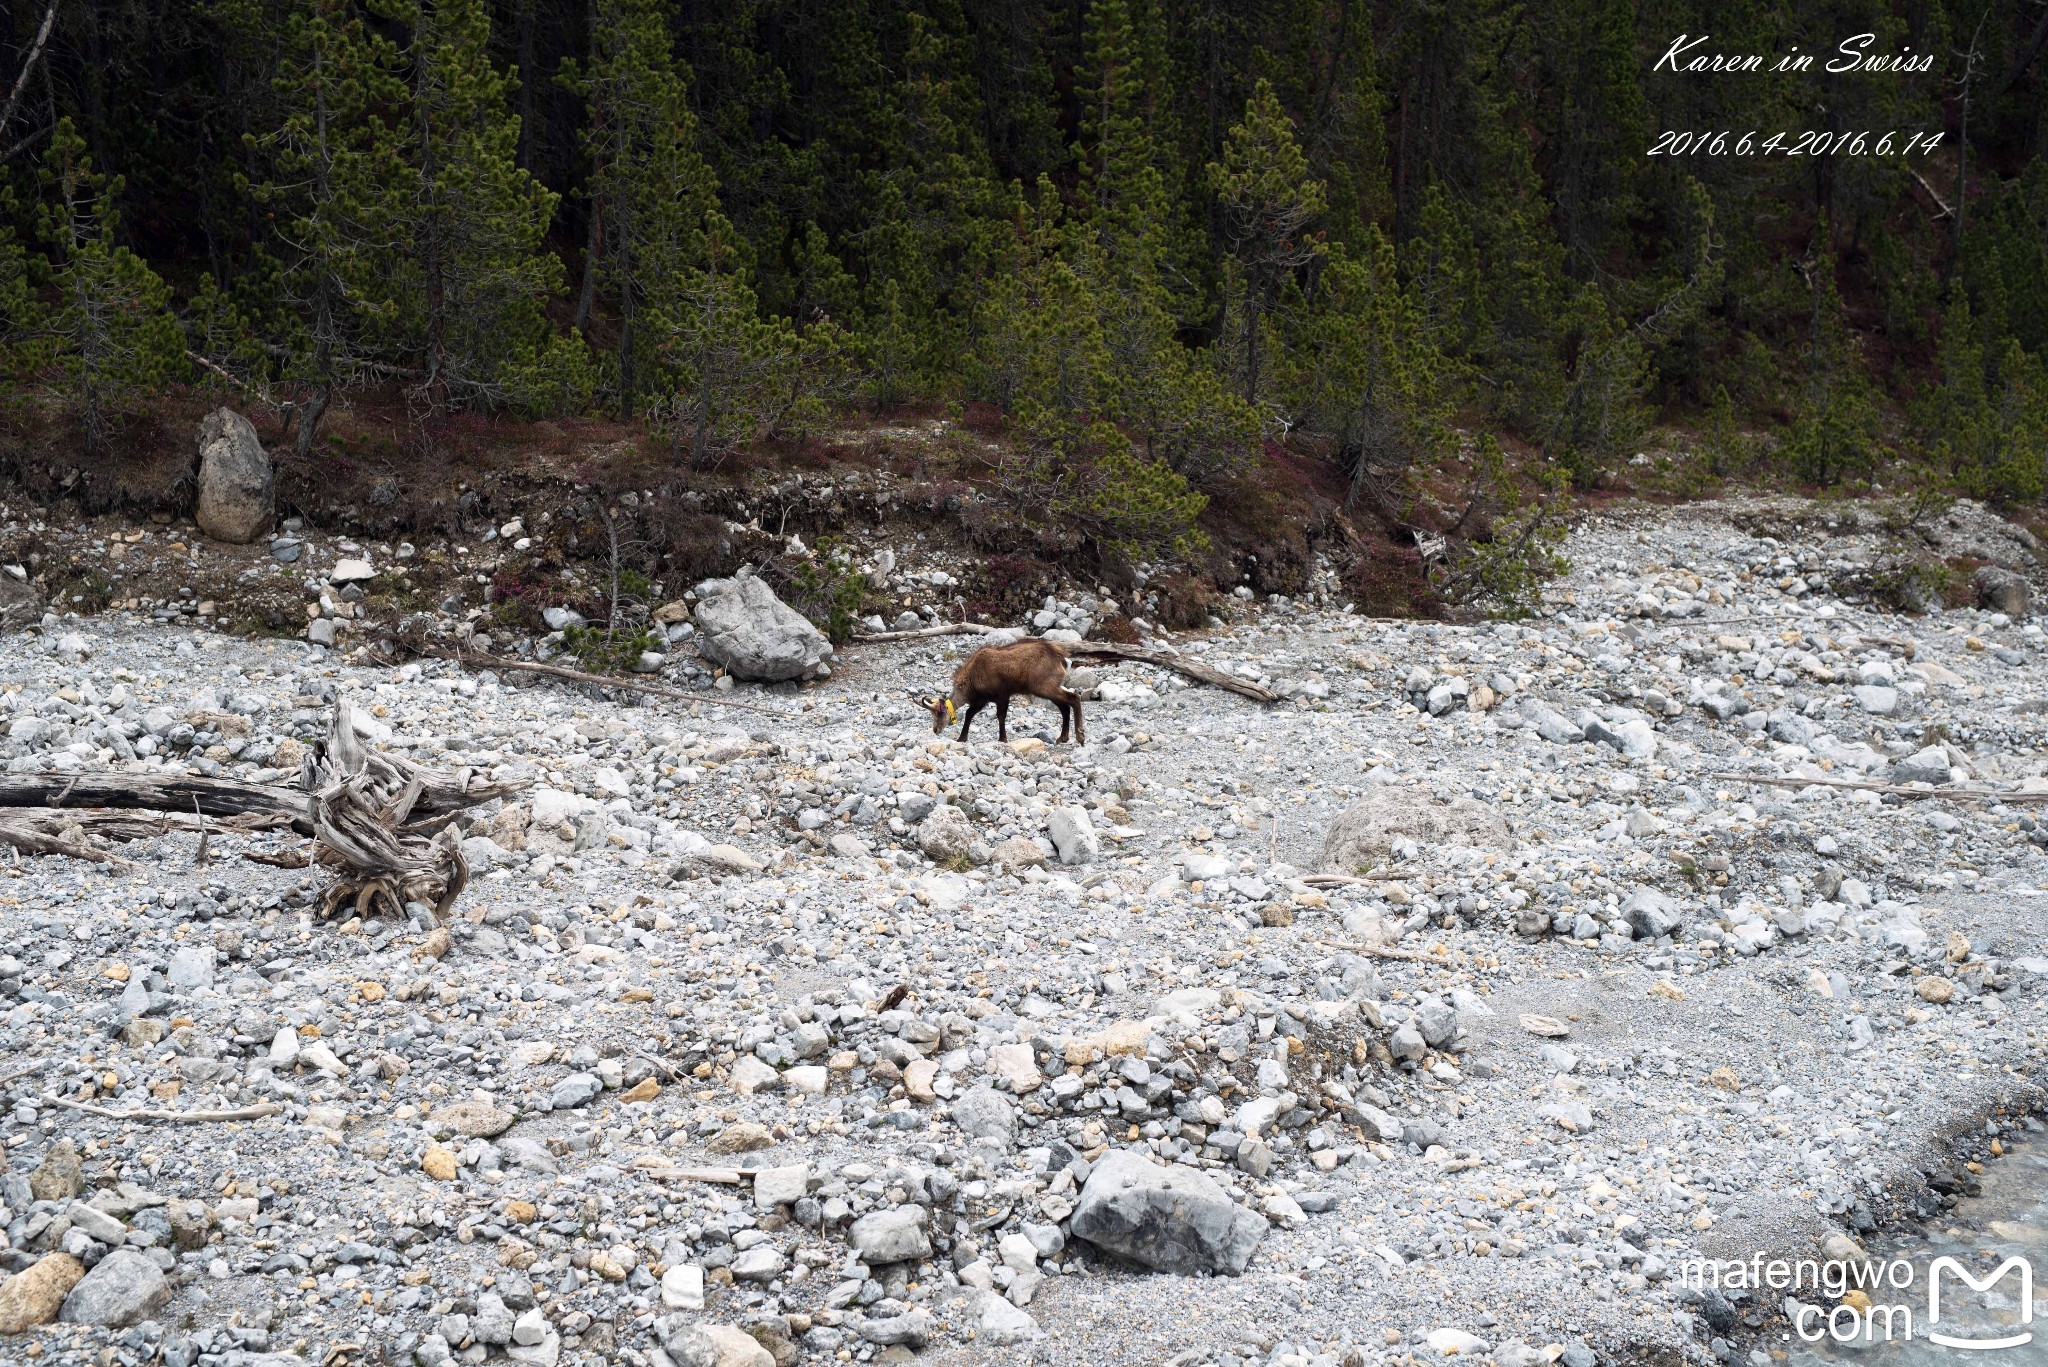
x: 1172, y: 1220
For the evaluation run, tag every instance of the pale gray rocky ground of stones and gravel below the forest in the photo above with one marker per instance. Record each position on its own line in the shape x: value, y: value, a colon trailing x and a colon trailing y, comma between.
x: 1701, y: 921
